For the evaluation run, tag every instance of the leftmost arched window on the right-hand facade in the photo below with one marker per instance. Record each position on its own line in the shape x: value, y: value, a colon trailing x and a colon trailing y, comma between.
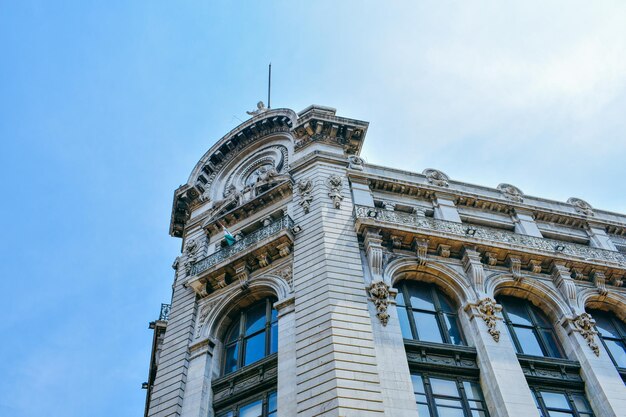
x: 426, y: 314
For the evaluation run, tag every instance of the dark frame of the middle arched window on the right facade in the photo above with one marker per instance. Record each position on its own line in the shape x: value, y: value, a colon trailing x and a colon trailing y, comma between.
x: 537, y: 328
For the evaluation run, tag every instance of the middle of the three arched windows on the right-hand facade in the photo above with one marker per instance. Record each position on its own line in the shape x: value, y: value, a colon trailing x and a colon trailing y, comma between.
x: 530, y: 330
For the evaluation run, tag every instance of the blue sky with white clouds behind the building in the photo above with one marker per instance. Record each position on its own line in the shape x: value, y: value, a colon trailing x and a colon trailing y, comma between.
x: 106, y: 106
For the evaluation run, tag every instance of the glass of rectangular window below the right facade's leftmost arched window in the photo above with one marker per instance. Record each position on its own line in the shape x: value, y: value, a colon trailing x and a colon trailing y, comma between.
x: 437, y: 396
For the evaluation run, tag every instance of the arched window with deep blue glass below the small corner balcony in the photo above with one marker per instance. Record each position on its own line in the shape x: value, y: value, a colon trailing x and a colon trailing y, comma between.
x: 252, y: 336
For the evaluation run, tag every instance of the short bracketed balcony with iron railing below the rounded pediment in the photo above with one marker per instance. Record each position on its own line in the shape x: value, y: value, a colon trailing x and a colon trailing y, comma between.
x: 256, y: 250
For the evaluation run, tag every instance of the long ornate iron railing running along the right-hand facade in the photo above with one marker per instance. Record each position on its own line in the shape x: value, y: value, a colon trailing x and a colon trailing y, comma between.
x: 474, y: 232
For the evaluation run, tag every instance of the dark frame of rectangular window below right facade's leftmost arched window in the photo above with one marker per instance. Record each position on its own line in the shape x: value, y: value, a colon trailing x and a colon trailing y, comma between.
x: 459, y: 382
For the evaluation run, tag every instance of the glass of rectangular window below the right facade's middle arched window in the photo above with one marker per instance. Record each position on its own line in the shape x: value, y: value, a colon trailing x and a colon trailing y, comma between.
x: 559, y: 403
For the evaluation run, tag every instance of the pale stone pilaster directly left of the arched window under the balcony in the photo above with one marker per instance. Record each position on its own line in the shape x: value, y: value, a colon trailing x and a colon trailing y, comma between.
x: 198, y: 395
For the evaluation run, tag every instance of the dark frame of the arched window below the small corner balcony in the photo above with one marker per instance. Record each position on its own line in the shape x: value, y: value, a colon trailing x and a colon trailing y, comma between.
x: 241, y: 342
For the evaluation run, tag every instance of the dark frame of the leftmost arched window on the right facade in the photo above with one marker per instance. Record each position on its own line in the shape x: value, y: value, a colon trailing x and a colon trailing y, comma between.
x: 439, y: 313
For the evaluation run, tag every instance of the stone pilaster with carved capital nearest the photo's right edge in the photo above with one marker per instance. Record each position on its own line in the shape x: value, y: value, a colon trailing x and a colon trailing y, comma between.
x: 603, y: 385
